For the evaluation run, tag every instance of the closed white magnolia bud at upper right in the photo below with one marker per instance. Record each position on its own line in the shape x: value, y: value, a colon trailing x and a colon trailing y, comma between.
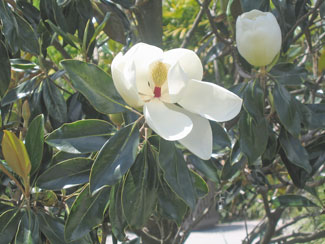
x: 258, y: 37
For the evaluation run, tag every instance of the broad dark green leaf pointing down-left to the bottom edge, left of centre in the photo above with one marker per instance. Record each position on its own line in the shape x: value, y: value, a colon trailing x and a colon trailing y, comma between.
x: 86, y: 212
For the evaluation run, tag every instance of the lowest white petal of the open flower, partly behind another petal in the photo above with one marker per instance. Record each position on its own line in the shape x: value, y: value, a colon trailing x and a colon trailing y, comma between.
x: 199, y: 141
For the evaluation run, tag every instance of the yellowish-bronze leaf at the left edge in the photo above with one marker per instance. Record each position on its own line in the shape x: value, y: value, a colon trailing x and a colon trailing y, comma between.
x: 15, y: 154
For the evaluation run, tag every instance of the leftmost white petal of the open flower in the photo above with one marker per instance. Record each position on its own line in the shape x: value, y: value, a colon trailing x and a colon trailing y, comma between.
x: 124, y: 80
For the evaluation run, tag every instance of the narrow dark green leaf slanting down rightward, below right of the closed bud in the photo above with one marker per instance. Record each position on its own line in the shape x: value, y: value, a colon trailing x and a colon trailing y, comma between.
x: 286, y: 109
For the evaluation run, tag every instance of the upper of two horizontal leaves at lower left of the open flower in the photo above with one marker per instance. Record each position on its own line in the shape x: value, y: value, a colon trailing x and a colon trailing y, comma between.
x: 82, y: 136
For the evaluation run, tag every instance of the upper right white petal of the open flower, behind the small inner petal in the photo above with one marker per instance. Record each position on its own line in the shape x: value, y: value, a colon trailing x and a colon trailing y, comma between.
x: 189, y: 61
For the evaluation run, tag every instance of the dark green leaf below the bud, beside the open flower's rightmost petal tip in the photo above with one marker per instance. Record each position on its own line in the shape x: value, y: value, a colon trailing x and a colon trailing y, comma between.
x: 254, y: 100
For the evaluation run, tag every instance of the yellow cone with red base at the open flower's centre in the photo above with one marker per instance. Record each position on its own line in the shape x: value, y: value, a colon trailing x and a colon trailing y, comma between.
x: 159, y: 73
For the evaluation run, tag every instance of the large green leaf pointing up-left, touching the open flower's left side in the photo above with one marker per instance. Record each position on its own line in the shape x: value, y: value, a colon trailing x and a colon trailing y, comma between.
x: 95, y: 84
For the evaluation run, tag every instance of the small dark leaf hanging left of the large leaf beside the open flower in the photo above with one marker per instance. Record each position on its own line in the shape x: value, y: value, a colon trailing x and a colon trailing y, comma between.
x: 54, y: 101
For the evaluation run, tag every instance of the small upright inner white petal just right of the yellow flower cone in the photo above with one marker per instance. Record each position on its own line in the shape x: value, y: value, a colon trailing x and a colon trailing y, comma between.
x: 175, y: 85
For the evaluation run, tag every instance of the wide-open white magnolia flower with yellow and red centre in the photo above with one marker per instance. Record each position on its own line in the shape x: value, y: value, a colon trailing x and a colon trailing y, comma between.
x: 176, y: 103
